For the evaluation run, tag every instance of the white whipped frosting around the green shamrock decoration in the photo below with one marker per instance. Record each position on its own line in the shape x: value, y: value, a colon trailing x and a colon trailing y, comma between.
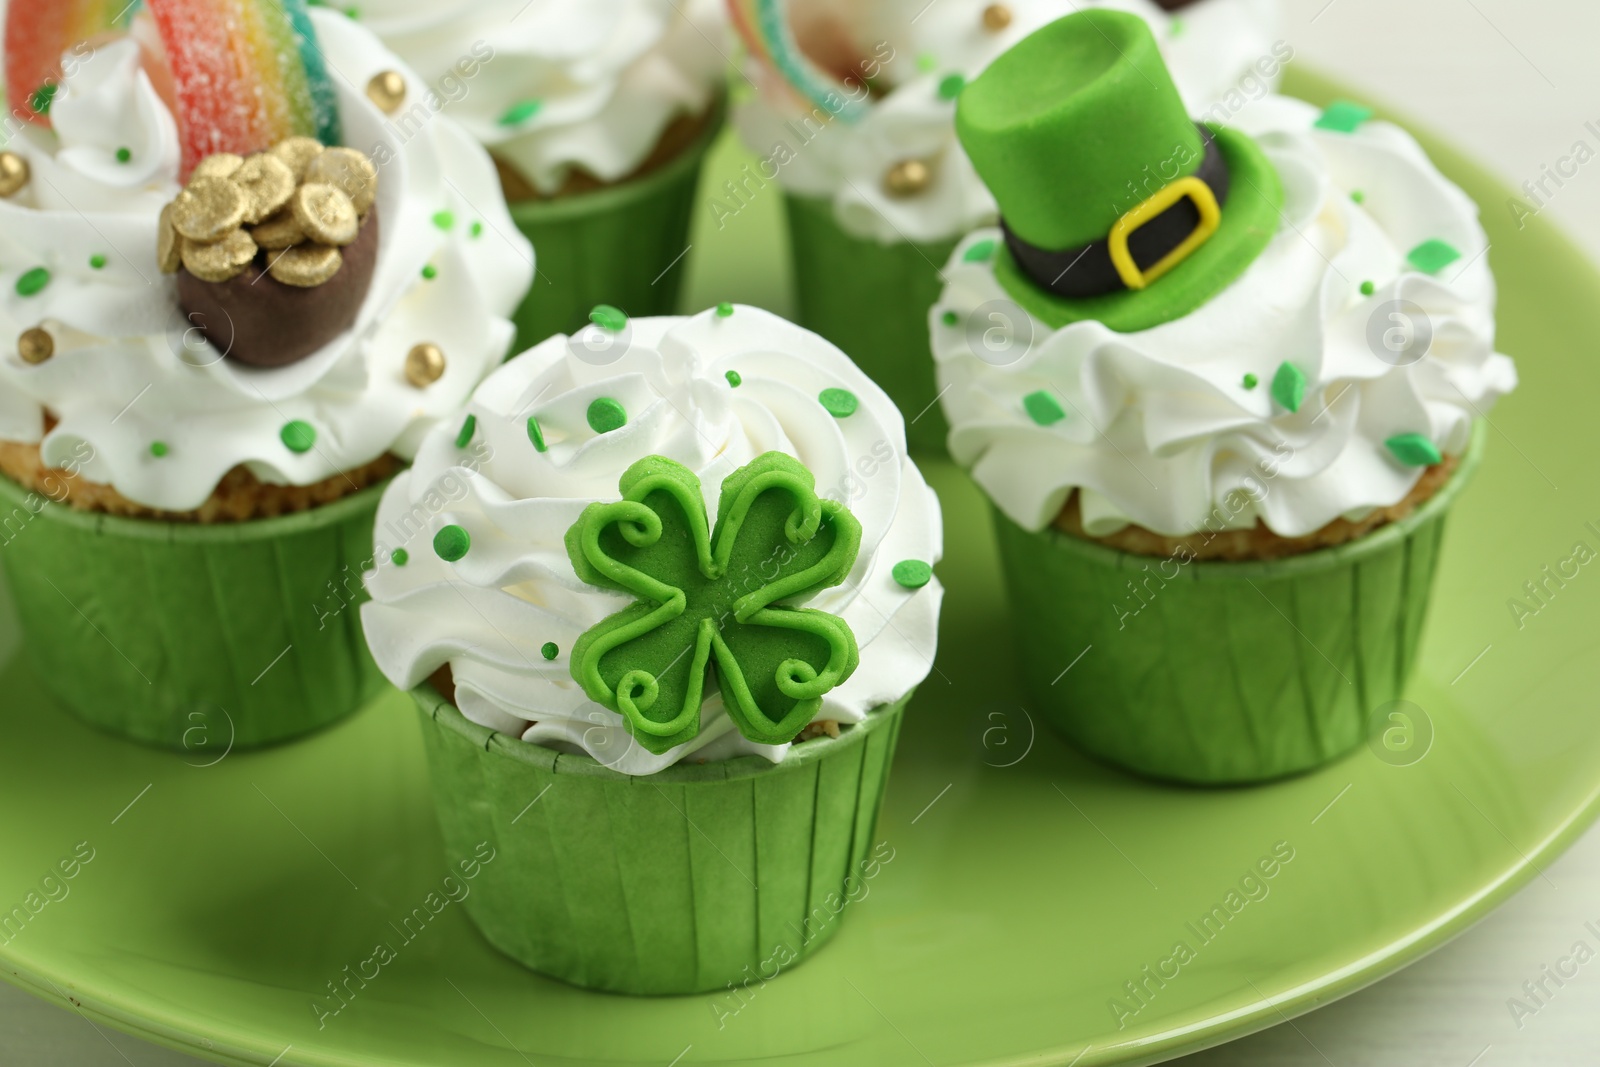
x: 492, y: 613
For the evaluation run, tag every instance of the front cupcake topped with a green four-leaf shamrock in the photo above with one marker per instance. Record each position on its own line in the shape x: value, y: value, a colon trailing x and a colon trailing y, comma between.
x: 682, y: 597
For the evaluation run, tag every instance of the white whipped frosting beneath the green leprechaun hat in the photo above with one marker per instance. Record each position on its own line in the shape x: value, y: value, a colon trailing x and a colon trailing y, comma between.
x: 1161, y: 430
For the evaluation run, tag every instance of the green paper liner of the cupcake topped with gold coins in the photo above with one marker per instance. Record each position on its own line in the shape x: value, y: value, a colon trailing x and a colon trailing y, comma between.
x: 196, y: 637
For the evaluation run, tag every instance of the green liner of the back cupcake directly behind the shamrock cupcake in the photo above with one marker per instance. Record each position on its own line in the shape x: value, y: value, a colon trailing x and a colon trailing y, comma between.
x: 622, y: 246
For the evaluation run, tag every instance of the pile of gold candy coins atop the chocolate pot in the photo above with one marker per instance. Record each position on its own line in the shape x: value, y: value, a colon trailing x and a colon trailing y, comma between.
x: 297, y: 201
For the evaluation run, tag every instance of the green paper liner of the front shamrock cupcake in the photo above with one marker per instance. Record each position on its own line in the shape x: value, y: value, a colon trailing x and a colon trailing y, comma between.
x: 687, y: 881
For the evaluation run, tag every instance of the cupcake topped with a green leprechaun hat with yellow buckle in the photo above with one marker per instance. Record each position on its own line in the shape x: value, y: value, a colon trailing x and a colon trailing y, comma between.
x: 1228, y: 414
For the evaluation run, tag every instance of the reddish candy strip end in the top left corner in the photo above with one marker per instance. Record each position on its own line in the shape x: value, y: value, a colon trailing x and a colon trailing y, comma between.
x: 39, y: 34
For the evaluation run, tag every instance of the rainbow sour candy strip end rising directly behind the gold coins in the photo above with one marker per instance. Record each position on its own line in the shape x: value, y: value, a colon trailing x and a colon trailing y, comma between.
x: 249, y: 74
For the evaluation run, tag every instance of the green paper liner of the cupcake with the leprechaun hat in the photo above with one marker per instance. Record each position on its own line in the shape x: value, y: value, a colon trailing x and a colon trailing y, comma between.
x: 1223, y: 673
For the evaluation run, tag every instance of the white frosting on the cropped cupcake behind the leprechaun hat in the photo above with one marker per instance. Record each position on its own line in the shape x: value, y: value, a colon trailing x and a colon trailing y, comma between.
x: 1212, y: 50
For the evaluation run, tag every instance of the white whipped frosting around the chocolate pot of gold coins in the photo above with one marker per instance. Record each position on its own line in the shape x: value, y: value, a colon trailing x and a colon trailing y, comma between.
x: 130, y: 372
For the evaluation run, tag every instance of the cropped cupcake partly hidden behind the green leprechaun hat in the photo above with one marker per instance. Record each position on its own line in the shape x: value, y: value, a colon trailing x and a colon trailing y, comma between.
x: 854, y: 118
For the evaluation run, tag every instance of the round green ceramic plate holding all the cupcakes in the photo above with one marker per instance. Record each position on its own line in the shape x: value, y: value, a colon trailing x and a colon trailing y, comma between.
x: 1028, y: 890
